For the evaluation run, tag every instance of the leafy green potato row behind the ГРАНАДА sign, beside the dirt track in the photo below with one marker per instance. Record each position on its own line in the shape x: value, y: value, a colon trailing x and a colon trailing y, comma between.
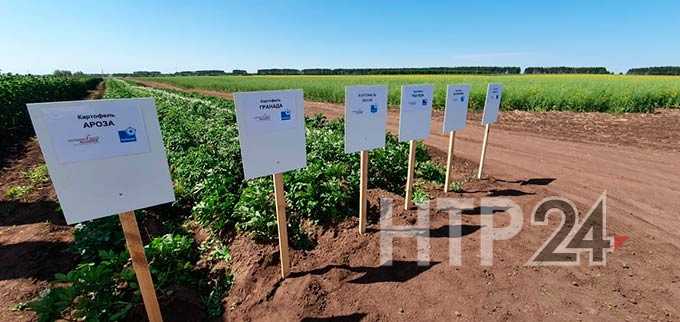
x: 201, y: 139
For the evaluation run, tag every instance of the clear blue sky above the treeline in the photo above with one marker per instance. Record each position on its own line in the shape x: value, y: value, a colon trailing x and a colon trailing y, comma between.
x: 123, y: 36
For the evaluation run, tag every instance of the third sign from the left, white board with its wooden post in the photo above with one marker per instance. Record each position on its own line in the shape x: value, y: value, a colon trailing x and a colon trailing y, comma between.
x: 365, y: 119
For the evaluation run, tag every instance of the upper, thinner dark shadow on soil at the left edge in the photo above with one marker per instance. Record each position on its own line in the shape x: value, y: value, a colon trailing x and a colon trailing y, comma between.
x: 22, y: 213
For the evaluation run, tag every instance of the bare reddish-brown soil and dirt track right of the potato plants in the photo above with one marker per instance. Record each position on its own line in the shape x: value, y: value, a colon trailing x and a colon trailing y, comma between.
x: 633, y: 157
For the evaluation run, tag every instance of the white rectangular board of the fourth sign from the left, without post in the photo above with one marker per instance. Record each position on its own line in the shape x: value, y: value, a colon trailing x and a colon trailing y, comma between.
x: 415, y: 113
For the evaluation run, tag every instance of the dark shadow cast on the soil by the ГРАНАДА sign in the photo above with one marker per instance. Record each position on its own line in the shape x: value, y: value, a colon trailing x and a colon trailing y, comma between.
x: 399, y: 272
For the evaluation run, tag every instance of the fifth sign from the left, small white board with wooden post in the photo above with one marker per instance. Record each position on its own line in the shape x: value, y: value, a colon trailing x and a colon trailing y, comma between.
x: 455, y: 117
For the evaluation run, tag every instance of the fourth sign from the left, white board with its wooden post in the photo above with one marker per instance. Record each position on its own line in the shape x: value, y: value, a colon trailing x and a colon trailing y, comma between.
x: 414, y: 124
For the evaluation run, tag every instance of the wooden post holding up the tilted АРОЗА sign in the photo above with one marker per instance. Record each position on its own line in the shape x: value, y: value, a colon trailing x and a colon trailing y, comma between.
x: 133, y: 239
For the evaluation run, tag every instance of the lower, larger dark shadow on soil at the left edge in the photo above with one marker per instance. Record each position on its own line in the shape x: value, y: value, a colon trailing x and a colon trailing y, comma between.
x: 34, y: 259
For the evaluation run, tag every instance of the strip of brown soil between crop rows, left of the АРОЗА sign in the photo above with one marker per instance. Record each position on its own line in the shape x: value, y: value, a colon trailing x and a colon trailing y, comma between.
x: 34, y: 236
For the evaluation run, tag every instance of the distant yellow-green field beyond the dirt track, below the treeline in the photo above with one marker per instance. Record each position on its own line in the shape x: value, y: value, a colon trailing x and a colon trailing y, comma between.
x: 601, y: 93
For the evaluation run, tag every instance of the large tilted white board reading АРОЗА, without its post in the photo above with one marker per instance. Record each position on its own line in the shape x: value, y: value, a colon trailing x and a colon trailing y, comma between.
x: 104, y: 157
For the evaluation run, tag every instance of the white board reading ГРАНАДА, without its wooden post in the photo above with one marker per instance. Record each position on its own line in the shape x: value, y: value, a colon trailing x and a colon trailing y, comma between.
x: 271, y: 127
